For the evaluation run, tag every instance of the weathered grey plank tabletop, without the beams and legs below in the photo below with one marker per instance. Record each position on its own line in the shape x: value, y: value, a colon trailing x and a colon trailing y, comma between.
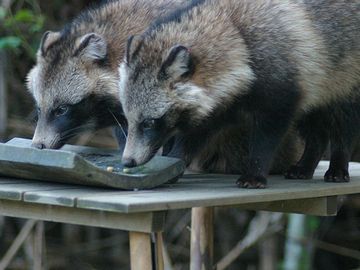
x: 191, y: 191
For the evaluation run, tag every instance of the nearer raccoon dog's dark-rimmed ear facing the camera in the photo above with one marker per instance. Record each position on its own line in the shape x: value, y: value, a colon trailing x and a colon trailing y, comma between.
x: 178, y: 64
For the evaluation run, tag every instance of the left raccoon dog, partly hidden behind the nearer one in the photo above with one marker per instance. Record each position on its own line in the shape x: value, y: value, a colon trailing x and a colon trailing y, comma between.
x: 74, y: 82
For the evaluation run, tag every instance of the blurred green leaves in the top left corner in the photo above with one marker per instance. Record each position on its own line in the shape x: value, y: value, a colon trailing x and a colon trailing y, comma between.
x: 20, y: 29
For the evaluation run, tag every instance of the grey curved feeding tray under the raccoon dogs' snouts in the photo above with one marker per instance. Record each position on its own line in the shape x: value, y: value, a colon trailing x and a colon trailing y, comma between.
x: 84, y: 166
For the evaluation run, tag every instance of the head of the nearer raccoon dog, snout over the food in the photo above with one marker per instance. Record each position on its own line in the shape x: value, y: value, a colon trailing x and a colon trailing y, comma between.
x: 158, y: 97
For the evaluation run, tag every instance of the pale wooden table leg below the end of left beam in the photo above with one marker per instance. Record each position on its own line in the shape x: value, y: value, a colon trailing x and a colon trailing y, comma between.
x: 140, y: 251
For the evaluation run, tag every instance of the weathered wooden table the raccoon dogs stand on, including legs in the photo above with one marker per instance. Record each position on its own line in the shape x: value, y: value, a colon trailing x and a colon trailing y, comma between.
x: 143, y: 212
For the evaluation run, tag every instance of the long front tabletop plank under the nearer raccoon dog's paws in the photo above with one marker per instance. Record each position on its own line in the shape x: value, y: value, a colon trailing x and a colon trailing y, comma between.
x: 220, y: 190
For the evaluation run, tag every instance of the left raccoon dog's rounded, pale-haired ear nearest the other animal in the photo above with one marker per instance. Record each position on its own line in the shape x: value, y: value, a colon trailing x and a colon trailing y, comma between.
x: 91, y: 46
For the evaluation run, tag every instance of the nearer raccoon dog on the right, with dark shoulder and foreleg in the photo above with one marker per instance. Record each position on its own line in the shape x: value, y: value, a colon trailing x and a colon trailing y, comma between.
x: 198, y: 70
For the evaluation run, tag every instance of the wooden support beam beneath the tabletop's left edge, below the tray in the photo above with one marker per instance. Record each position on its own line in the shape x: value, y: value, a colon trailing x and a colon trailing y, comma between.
x: 140, y: 222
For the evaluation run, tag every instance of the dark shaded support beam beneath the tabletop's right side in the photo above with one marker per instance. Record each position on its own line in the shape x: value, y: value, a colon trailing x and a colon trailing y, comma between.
x: 324, y: 206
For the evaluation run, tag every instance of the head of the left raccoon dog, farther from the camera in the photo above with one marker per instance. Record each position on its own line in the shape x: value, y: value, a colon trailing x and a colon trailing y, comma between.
x: 73, y: 86
